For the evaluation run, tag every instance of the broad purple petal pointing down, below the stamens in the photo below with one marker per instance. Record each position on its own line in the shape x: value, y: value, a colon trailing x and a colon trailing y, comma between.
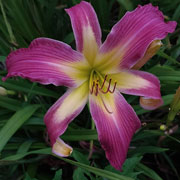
x: 115, y: 127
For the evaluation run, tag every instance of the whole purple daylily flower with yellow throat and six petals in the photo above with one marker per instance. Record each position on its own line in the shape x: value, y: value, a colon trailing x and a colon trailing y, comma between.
x: 96, y: 73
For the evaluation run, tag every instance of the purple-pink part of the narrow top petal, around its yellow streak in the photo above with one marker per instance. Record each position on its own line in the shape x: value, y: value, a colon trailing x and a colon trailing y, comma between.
x: 83, y: 15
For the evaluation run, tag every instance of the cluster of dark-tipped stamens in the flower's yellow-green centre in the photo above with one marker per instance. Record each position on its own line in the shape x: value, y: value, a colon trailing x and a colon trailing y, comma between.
x: 99, y: 83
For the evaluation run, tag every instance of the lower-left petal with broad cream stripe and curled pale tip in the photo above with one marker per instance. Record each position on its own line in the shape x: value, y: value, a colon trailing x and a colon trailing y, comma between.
x: 62, y: 113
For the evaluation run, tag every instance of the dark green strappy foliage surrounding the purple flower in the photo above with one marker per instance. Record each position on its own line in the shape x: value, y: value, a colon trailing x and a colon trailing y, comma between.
x: 25, y: 152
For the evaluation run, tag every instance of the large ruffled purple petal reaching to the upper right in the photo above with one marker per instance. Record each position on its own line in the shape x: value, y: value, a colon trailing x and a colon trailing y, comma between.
x: 131, y: 36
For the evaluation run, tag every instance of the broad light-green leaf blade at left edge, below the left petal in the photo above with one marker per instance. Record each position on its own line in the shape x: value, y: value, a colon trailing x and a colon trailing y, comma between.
x: 15, y: 122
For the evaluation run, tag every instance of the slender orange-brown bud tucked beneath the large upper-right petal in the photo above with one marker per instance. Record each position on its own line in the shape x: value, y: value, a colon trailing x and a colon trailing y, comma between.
x: 150, y: 52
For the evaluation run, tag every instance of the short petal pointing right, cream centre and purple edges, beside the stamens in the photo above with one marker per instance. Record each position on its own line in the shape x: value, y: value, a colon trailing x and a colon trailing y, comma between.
x: 137, y: 83
